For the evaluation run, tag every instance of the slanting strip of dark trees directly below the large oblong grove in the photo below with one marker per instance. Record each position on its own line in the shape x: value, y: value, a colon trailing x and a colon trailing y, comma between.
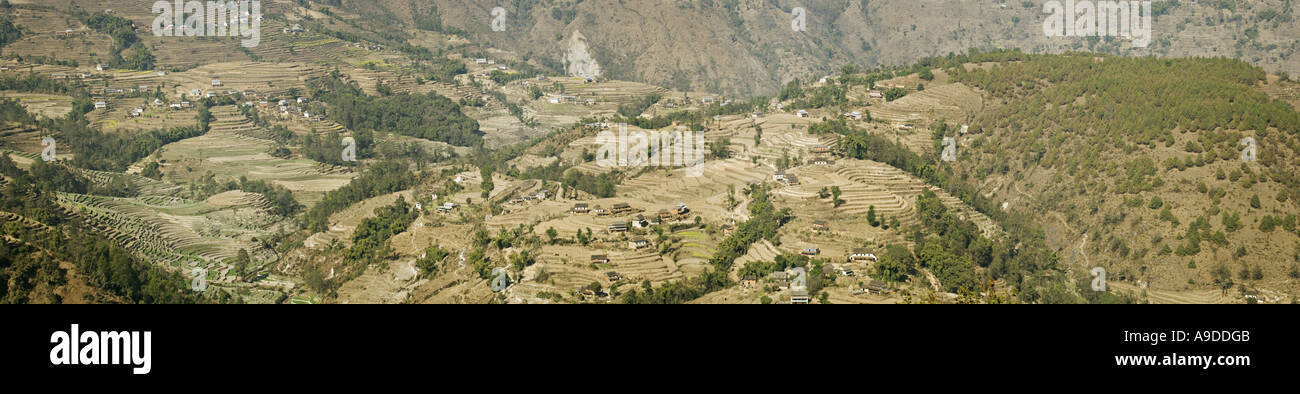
x: 382, y: 179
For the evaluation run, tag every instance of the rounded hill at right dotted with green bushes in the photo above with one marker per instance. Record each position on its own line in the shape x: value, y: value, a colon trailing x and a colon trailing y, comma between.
x: 1175, y: 175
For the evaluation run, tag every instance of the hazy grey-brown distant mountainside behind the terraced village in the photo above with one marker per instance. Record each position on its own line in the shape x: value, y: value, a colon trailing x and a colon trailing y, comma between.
x: 749, y: 47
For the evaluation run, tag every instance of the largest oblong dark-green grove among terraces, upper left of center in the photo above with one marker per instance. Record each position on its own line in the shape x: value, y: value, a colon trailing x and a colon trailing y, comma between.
x: 423, y: 116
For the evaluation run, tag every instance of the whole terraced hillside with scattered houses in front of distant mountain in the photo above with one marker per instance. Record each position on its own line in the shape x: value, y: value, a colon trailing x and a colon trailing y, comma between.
x: 336, y: 164
